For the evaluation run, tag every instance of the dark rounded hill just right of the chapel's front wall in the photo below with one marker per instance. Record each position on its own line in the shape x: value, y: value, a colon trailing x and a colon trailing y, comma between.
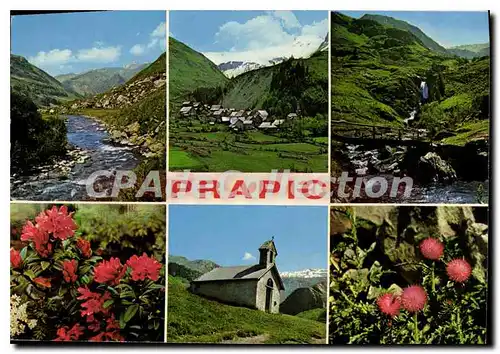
x: 304, y: 299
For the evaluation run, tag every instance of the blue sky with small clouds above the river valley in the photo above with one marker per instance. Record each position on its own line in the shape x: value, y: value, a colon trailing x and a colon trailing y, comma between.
x: 78, y: 42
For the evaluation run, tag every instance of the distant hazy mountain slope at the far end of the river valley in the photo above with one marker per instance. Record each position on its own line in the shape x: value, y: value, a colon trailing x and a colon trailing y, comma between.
x: 98, y: 81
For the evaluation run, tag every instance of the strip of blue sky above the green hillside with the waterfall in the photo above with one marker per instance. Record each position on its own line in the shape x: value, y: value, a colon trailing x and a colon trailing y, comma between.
x: 448, y: 28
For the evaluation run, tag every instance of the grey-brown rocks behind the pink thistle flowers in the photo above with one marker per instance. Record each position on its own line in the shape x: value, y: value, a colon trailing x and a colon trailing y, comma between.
x: 398, y: 230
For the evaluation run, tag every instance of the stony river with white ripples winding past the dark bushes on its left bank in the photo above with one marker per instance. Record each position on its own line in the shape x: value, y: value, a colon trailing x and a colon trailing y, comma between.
x: 90, y: 149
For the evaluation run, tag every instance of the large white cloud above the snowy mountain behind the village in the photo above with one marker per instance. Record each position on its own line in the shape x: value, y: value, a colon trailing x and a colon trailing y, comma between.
x: 276, y: 34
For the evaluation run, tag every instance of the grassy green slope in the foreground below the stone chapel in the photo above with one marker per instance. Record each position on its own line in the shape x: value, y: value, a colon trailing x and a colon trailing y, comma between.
x: 192, y: 318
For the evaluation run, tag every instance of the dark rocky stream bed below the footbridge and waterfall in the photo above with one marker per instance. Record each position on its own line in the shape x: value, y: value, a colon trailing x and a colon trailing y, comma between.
x: 441, y: 174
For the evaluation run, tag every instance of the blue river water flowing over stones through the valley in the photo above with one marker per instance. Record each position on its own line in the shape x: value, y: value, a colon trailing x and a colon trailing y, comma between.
x: 91, y: 136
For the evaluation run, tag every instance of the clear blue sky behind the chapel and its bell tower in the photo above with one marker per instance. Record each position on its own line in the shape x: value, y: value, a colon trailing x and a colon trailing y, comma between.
x: 230, y: 235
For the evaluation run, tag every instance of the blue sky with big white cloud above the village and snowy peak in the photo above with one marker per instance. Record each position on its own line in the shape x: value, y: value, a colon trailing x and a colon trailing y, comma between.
x: 249, y: 35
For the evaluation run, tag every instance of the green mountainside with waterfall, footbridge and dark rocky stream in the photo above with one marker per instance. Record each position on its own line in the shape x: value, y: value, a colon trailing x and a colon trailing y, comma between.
x: 403, y: 105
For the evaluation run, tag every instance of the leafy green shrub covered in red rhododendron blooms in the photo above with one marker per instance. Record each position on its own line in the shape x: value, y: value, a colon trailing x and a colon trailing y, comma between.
x: 62, y: 290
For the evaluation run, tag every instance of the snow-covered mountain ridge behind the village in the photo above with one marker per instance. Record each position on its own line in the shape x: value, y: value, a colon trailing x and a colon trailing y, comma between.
x: 237, y: 63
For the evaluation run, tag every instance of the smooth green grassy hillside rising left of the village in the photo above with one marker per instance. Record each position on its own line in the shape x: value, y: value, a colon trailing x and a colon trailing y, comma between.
x: 189, y: 70
